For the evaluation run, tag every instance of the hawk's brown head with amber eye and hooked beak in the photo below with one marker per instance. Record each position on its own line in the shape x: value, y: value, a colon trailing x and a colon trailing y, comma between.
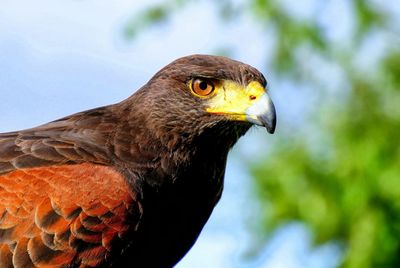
x: 200, y: 92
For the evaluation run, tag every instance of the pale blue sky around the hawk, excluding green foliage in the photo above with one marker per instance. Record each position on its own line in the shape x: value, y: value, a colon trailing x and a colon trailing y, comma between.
x: 57, y: 58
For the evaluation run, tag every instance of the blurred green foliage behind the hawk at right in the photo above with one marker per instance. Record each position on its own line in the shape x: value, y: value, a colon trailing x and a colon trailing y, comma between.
x: 344, y: 182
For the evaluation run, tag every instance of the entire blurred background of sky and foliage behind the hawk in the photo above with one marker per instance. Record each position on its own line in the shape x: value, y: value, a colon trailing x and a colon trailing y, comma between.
x: 324, y: 191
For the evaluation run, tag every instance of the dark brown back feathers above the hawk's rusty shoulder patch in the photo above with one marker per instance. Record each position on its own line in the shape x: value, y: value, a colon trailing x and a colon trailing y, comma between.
x: 79, y: 138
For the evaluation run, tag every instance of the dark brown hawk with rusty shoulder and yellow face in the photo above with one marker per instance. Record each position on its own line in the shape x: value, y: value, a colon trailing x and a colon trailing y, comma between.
x: 133, y: 183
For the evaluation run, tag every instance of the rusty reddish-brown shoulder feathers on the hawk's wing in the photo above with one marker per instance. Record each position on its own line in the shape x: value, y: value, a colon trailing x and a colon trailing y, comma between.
x: 54, y: 216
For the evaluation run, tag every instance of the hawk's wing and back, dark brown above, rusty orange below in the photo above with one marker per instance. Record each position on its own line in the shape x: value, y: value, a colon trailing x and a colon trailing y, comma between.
x: 61, y: 200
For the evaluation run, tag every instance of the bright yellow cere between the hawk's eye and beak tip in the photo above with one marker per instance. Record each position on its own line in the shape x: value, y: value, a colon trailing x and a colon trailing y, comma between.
x: 232, y: 99
